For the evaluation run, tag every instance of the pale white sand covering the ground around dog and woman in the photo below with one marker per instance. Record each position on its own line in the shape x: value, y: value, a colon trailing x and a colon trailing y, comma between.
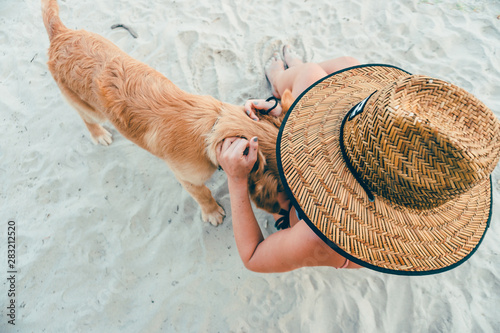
x: 108, y: 241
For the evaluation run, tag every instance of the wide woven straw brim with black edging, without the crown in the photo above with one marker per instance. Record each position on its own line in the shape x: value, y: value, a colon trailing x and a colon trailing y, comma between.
x: 378, y: 235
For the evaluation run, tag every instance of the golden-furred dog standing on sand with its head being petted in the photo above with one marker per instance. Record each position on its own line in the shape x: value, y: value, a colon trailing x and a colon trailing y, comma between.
x: 103, y: 83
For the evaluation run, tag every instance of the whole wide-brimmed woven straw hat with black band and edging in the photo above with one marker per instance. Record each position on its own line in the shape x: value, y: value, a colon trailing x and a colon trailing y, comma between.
x: 392, y: 170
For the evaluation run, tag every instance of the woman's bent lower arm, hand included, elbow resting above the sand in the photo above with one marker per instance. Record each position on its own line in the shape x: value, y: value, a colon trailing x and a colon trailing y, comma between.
x: 282, y: 251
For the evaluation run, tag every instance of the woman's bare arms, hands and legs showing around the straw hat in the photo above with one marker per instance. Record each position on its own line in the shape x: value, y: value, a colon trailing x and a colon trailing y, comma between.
x: 298, y: 245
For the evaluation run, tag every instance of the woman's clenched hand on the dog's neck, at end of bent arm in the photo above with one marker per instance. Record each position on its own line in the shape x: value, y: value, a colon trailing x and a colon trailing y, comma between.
x: 237, y: 157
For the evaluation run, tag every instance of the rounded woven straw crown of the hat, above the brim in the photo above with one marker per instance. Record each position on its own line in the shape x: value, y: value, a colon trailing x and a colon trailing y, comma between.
x: 420, y: 142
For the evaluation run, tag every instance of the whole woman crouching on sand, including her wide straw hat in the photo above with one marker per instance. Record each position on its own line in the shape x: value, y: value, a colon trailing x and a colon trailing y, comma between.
x: 363, y: 199
